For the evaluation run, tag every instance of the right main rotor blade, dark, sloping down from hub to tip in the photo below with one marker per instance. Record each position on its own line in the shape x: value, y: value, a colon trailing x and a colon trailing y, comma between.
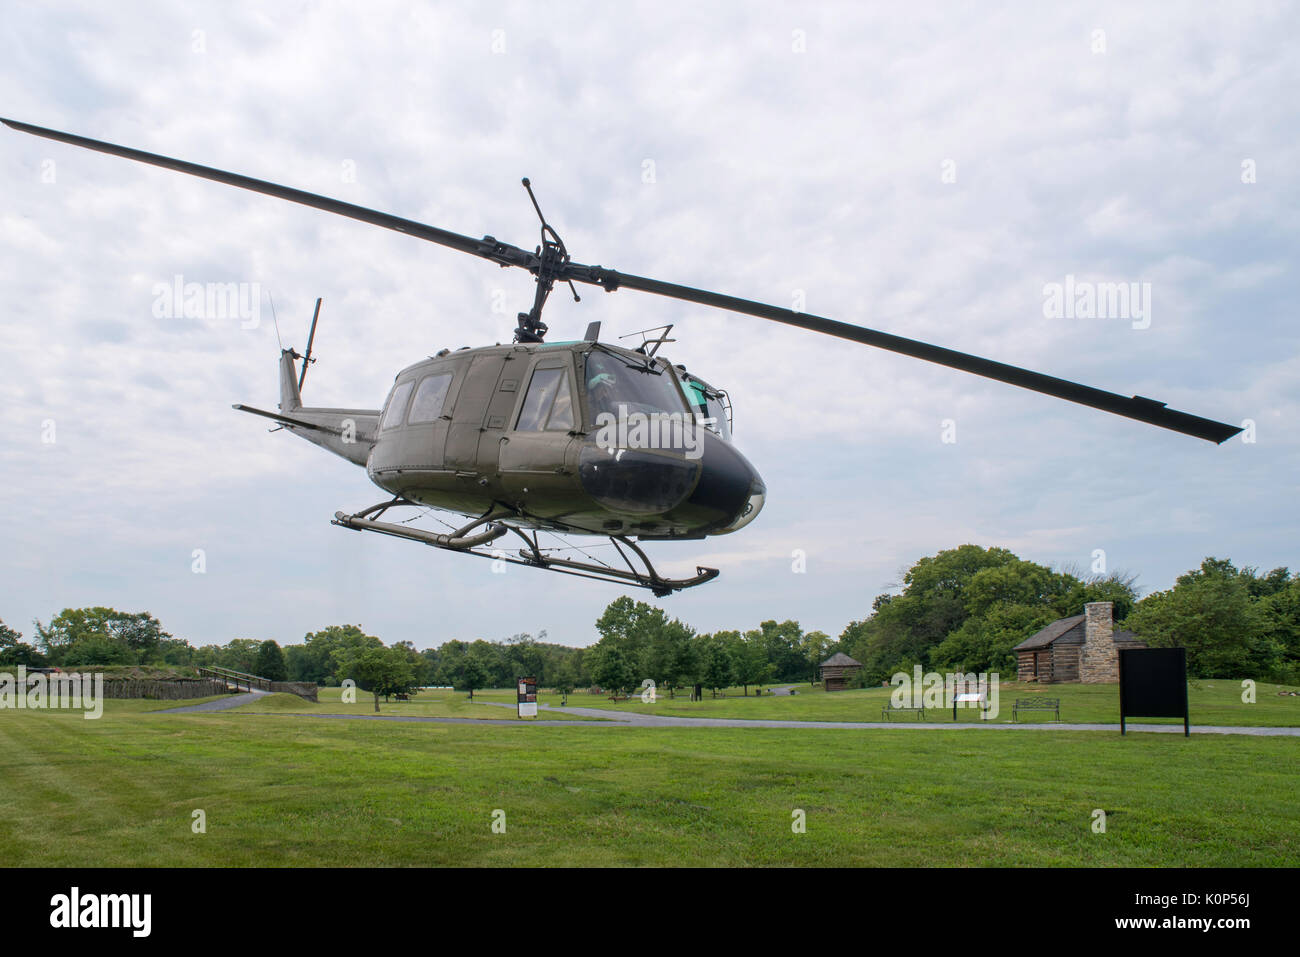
x: 1145, y: 410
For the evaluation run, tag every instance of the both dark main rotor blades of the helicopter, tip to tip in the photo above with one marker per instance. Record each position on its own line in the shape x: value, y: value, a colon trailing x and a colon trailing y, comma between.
x: 1145, y: 410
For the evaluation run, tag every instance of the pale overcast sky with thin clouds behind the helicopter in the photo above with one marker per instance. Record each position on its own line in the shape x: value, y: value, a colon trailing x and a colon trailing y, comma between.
x: 926, y: 171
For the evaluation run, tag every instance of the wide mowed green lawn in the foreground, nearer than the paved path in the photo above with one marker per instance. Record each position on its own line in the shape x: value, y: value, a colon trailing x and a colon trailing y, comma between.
x: 285, y: 791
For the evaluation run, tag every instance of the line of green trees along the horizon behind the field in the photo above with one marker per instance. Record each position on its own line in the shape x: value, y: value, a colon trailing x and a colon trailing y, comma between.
x: 964, y: 610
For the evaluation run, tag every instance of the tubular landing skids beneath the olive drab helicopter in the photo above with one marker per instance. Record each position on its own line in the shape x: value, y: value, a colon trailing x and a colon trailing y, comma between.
x: 475, y: 539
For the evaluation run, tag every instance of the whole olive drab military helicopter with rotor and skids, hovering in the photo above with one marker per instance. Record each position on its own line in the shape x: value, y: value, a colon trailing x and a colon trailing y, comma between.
x: 570, y: 438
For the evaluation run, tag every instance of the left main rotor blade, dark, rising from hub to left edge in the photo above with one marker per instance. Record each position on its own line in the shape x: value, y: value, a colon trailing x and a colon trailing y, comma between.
x: 487, y: 248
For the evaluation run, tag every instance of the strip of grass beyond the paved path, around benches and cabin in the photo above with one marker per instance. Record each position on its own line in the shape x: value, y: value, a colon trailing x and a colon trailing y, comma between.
x: 1211, y: 703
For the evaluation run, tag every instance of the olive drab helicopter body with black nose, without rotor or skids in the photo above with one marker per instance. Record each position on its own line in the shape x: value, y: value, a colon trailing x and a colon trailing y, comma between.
x: 577, y: 438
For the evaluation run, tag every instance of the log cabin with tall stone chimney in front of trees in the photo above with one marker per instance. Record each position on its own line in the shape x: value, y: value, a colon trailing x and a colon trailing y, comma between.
x: 1084, y: 648
